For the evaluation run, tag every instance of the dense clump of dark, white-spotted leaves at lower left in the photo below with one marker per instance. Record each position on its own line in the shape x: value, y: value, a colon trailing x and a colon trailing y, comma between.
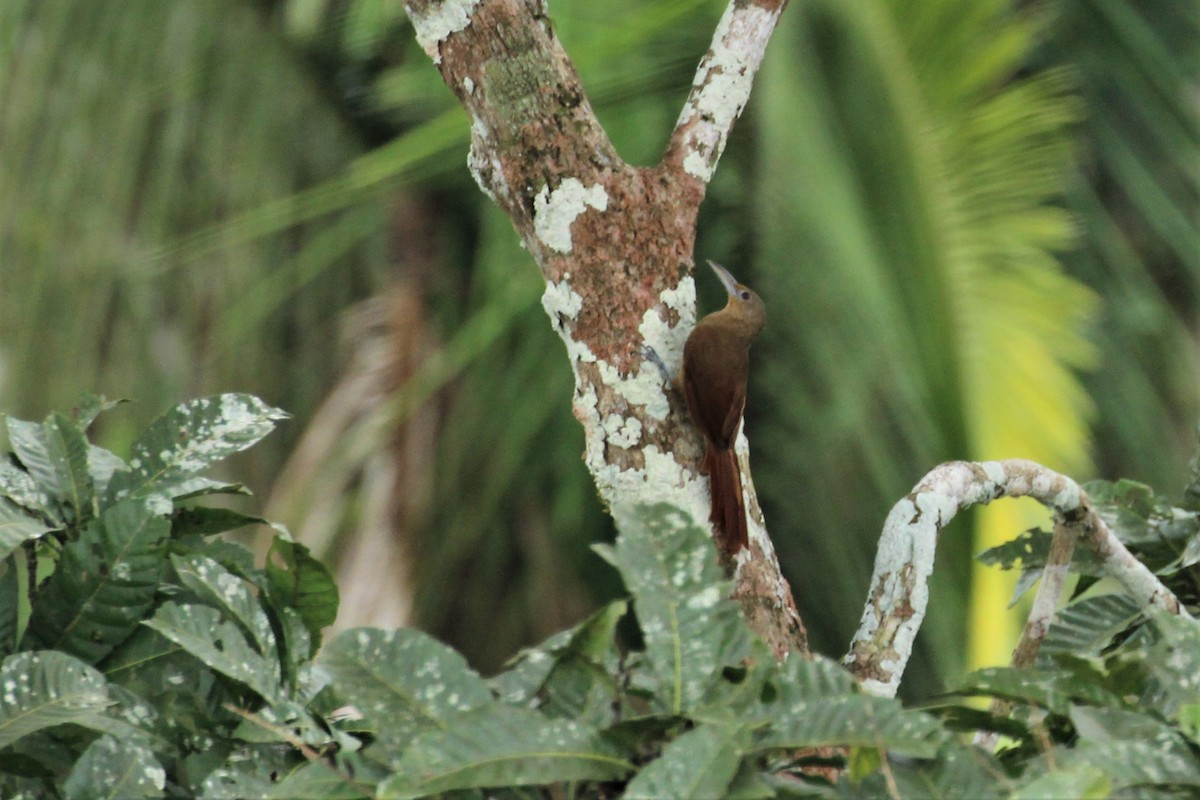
x: 143, y: 642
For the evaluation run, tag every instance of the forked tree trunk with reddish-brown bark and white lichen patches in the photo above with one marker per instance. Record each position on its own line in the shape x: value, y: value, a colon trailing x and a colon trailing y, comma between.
x: 615, y: 244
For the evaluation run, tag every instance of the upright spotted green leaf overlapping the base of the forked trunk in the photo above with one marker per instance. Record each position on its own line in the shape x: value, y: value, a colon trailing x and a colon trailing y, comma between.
x: 692, y: 629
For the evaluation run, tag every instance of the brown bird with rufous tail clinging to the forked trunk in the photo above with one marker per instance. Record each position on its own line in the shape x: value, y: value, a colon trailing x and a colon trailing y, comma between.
x: 713, y: 380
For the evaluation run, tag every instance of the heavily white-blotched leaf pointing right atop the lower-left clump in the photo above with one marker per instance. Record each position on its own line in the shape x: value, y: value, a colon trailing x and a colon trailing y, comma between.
x: 190, y: 438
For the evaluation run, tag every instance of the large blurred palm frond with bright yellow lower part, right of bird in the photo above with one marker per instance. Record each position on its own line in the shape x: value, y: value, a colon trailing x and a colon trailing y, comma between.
x: 919, y: 311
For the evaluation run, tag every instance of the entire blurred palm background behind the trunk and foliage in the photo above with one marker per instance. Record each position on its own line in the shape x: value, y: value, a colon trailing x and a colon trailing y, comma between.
x: 975, y: 225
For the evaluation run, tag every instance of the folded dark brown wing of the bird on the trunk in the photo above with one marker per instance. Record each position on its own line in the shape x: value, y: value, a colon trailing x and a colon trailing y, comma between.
x: 715, y: 384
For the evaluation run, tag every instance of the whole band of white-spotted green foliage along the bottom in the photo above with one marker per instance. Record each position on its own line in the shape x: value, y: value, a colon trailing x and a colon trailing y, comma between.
x: 157, y: 660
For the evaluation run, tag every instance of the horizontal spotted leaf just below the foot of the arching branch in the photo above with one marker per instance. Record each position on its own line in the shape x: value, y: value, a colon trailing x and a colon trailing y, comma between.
x: 857, y: 721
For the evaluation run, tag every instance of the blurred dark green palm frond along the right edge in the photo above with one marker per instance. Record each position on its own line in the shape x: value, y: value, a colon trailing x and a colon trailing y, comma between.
x: 1138, y: 195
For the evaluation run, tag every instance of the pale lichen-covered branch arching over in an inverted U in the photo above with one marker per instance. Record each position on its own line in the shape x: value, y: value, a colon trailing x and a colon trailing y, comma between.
x: 899, y: 593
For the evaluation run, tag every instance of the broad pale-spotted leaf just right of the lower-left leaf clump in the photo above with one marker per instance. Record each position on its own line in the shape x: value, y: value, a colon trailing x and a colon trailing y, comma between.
x: 403, y: 682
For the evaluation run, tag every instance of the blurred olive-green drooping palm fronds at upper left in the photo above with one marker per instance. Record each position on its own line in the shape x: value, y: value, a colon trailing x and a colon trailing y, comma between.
x: 127, y: 129
